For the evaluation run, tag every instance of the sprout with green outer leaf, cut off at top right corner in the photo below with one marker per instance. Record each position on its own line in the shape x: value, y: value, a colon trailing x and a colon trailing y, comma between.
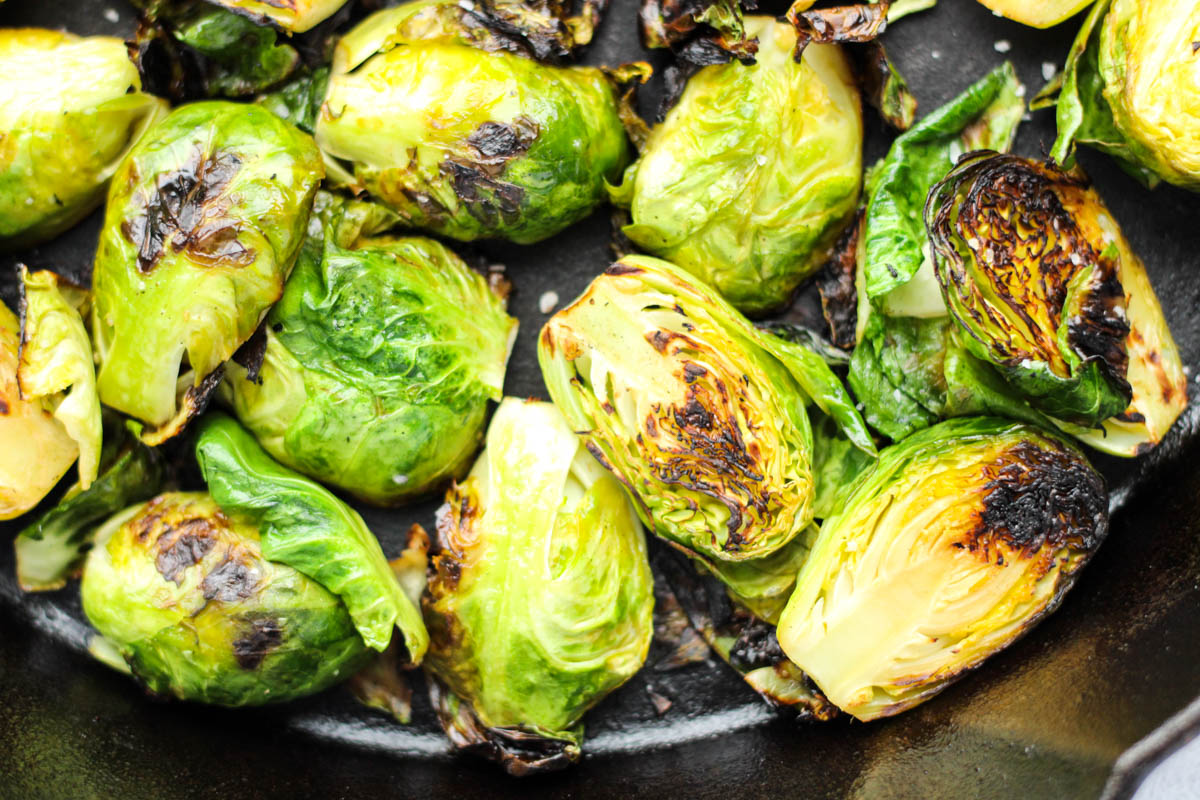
x: 1131, y: 89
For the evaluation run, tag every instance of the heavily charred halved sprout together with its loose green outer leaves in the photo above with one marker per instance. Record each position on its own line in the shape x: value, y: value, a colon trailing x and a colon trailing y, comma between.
x: 939, y: 309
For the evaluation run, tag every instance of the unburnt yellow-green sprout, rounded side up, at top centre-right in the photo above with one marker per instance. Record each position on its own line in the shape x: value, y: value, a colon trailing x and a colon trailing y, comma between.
x: 752, y: 176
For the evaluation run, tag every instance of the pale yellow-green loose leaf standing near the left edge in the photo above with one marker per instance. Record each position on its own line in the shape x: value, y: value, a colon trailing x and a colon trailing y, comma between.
x: 56, y: 358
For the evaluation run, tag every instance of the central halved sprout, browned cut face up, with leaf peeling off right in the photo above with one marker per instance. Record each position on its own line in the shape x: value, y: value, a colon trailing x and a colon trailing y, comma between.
x: 699, y: 413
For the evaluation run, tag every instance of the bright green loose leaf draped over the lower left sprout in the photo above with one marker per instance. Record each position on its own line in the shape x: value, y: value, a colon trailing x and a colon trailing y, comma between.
x: 305, y: 527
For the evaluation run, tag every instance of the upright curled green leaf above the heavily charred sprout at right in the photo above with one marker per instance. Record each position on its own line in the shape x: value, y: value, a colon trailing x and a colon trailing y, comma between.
x: 986, y: 116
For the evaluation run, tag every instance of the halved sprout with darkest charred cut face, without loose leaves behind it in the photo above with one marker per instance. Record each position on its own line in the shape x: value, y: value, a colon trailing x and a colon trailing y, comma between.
x: 1046, y: 268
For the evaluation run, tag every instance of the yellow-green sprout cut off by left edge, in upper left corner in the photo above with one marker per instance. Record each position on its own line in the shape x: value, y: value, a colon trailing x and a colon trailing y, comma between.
x: 70, y: 109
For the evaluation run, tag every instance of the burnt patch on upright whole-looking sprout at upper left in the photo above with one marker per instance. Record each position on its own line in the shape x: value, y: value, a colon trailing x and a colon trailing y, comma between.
x: 187, y: 212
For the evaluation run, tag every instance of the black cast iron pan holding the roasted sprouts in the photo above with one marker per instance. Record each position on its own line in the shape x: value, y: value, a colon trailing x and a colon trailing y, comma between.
x: 1049, y: 718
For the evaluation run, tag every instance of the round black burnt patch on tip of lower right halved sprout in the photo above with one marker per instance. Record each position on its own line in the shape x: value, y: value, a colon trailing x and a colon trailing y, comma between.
x: 1041, y: 496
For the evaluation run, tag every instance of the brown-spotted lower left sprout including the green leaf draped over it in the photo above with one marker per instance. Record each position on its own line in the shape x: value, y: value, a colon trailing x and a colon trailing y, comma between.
x: 265, y: 590
